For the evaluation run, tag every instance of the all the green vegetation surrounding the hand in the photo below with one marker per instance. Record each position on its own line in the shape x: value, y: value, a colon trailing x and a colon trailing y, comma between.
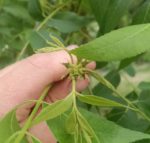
x: 115, y: 34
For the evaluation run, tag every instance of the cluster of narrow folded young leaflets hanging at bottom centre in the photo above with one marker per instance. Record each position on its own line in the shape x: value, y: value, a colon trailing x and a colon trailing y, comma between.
x: 78, y: 126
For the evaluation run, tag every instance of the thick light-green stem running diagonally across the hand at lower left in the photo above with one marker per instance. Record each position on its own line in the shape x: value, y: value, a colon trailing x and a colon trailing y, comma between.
x: 31, y: 117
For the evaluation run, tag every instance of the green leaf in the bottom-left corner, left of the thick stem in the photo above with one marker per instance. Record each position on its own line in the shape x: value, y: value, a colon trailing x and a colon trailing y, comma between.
x: 9, y: 126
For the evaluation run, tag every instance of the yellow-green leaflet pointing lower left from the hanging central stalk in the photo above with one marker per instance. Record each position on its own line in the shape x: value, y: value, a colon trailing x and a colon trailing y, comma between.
x: 53, y: 110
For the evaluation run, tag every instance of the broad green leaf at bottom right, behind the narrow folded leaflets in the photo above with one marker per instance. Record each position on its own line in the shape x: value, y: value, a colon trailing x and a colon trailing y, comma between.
x: 113, y: 133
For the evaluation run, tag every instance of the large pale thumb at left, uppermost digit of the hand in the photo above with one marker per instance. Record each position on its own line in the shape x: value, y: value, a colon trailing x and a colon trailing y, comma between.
x: 26, y: 79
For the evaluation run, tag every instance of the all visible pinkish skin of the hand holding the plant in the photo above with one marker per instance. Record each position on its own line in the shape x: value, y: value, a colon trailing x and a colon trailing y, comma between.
x: 25, y: 80
